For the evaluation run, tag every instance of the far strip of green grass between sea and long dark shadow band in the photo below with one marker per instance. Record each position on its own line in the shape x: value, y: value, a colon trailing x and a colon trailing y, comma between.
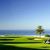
x: 20, y: 39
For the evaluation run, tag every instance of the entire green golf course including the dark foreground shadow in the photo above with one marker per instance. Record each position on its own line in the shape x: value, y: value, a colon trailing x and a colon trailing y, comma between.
x: 23, y: 43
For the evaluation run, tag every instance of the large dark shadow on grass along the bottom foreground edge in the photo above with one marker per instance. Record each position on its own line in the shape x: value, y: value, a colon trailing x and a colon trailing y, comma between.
x: 6, y: 47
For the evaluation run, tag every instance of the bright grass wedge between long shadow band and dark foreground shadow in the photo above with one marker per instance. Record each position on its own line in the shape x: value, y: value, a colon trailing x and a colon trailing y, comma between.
x: 33, y: 45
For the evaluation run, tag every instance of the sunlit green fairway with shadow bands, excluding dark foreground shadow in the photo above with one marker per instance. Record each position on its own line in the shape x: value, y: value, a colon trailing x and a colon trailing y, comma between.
x: 25, y: 42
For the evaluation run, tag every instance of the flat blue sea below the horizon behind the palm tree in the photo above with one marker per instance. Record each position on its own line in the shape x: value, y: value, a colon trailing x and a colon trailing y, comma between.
x: 21, y: 32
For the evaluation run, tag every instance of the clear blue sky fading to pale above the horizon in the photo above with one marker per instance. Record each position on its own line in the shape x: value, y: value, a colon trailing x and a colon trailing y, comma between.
x: 24, y: 14
